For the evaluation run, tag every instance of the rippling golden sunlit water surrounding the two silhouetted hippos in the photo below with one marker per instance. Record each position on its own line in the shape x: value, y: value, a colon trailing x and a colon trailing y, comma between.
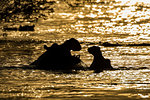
x: 113, y: 21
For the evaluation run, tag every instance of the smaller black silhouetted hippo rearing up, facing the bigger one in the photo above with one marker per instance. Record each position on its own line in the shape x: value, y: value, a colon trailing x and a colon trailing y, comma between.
x: 99, y: 62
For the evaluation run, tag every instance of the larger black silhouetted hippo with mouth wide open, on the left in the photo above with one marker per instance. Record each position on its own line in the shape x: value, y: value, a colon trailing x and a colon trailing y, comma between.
x: 58, y: 57
